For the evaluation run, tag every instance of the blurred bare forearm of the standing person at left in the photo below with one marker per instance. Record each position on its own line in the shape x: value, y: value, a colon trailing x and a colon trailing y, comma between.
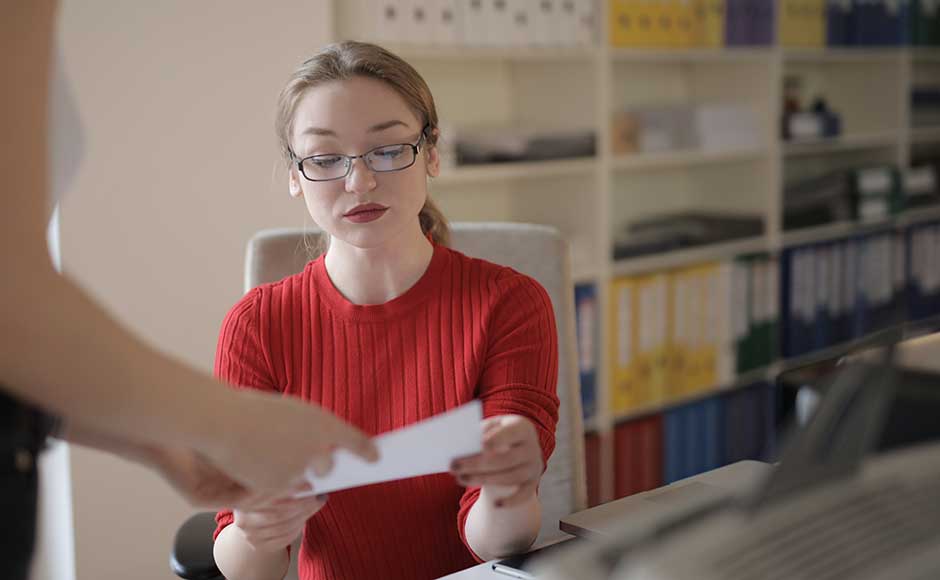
x: 64, y: 353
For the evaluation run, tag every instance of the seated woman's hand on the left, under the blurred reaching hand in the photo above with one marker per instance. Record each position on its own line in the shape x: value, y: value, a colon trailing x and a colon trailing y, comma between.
x: 271, y: 527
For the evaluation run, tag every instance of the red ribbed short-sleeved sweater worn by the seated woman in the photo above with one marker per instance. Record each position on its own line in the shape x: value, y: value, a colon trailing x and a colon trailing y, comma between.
x: 468, y: 329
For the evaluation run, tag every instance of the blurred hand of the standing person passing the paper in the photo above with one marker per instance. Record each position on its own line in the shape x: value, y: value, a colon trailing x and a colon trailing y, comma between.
x: 267, y: 442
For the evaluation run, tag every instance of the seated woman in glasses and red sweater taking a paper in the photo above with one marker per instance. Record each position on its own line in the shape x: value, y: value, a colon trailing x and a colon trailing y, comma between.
x: 387, y: 328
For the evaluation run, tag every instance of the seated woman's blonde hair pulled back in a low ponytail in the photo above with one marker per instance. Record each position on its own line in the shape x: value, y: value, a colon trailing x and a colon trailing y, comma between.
x: 343, y: 61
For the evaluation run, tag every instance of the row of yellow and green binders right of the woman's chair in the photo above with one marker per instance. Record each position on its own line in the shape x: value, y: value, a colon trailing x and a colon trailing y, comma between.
x: 687, y: 331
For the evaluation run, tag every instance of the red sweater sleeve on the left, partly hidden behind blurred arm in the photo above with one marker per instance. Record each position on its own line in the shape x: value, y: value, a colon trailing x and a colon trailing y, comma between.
x: 242, y: 362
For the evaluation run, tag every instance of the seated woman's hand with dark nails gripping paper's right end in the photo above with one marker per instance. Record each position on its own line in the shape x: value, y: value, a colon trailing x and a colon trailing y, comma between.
x: 511, y: 462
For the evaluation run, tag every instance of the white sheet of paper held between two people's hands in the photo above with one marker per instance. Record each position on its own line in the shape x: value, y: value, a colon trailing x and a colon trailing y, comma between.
x: 420, y: 449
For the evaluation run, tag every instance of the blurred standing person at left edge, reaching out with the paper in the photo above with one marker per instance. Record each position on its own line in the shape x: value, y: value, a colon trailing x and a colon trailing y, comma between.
x: 61, y: 354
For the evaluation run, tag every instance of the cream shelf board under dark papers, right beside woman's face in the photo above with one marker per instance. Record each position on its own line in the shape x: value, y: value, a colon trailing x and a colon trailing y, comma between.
x: 523, y: 170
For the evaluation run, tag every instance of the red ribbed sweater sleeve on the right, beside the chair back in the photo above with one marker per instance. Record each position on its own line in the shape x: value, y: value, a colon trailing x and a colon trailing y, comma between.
x: 520, y: 372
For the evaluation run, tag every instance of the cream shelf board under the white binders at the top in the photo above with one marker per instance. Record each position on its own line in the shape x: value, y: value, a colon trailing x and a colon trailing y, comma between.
x: 547, y: 54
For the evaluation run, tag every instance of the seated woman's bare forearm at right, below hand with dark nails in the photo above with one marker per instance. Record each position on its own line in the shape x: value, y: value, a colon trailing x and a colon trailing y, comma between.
x: 498, y: 532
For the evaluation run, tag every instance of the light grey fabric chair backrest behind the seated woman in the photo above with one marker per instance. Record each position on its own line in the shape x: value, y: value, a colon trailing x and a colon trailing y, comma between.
x: 538, y: 251
